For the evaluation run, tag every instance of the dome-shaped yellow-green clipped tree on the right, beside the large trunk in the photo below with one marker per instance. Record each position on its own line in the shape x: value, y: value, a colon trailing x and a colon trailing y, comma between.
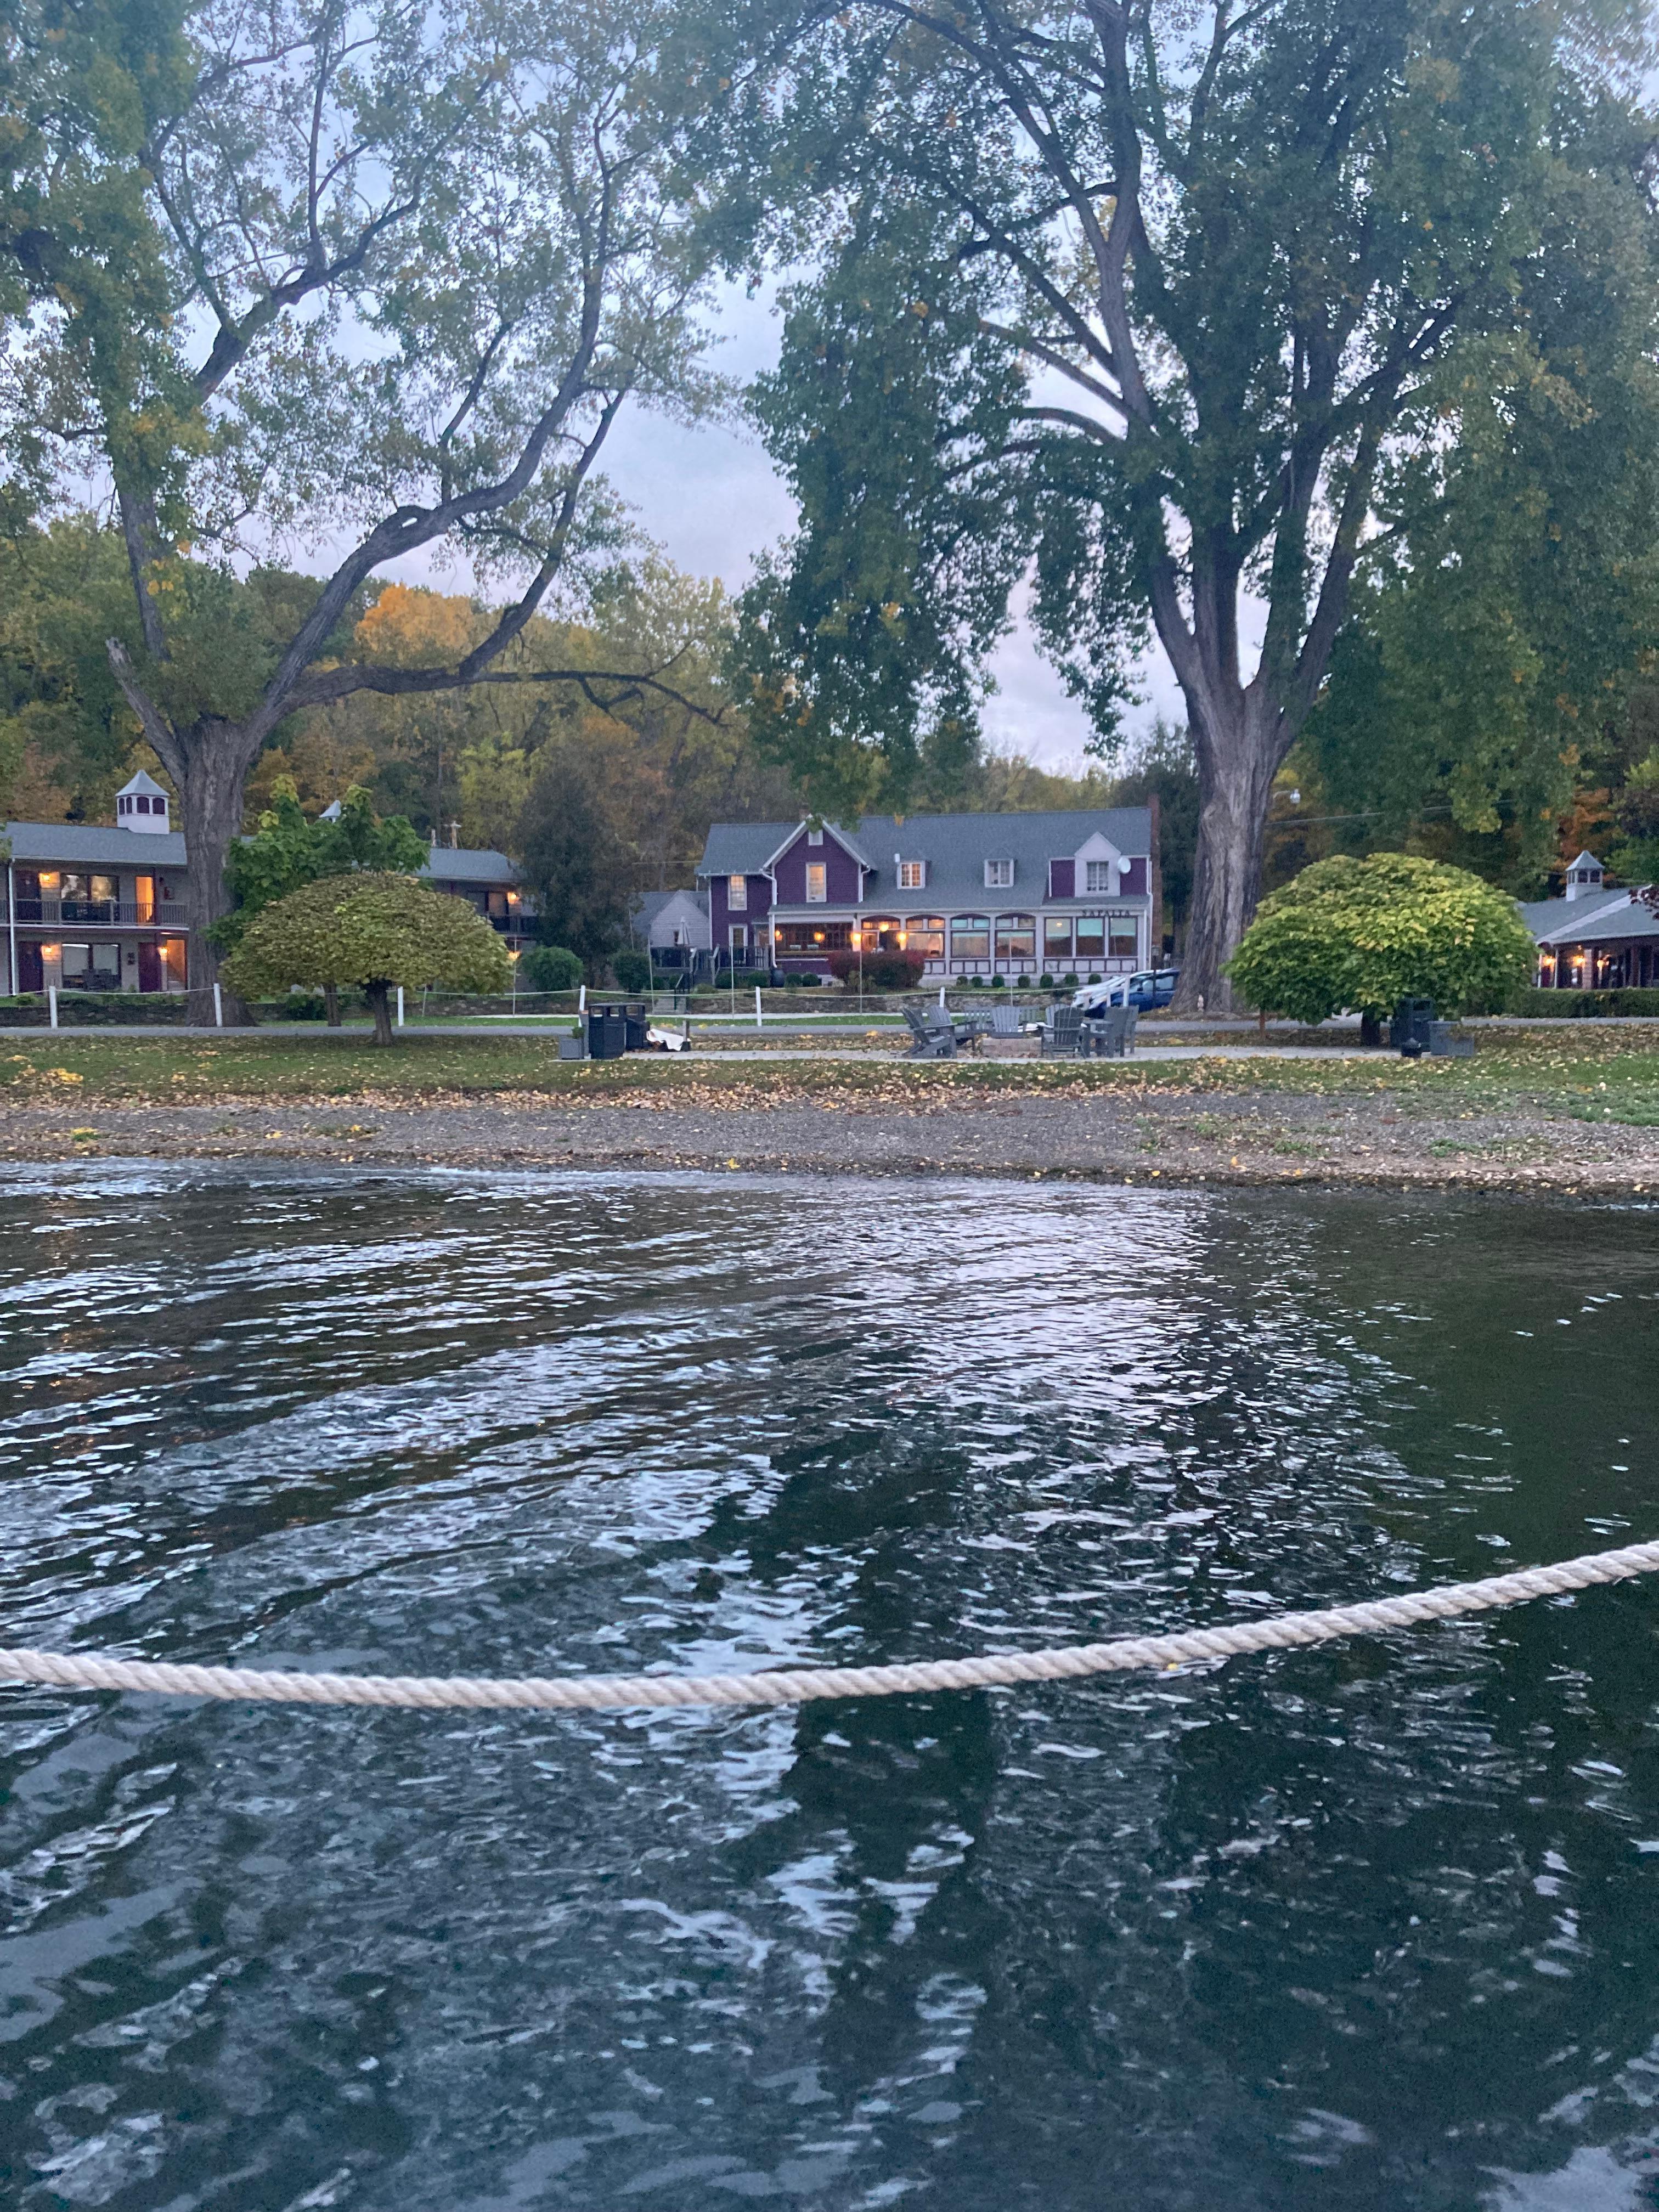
x: 1364, y: 935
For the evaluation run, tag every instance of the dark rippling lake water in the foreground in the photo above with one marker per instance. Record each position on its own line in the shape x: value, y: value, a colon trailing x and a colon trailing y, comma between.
x: 1361, y: 1928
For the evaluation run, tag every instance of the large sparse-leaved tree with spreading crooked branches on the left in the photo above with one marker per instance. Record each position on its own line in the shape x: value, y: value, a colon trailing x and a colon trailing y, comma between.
x: 384, y: 275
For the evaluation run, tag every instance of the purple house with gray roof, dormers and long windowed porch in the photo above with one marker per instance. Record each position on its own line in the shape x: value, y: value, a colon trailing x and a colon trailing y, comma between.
x: 977, y: 895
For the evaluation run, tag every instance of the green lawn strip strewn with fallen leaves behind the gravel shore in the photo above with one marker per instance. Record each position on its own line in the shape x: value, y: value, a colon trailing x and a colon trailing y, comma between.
x: 1592, y: 1074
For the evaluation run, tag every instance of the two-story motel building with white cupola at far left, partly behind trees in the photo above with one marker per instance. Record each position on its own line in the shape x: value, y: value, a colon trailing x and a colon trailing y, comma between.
x: 105, y: 910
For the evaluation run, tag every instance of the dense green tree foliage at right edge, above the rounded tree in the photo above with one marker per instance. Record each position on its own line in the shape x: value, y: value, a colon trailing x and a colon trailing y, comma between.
x: 1501, y: 640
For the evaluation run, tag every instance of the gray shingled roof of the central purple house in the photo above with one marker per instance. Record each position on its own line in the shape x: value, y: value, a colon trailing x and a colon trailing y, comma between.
x: 954, y: 846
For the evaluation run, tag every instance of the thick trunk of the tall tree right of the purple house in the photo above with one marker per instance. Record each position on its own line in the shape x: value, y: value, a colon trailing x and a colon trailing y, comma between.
x: 1238, y: 744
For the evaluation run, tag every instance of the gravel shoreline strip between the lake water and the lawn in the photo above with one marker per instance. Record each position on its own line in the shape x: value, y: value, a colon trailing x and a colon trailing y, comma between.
x: 1213, y: 1138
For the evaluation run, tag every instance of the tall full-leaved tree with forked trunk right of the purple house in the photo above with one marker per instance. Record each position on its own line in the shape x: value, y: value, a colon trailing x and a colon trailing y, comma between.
x: 1222, y: 255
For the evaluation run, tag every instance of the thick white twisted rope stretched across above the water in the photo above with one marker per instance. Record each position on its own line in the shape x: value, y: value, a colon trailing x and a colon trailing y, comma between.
x: 791, y: 1687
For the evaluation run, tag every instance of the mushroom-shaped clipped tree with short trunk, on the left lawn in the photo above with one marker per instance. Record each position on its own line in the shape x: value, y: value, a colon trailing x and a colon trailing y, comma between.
x: 368, y: 930
